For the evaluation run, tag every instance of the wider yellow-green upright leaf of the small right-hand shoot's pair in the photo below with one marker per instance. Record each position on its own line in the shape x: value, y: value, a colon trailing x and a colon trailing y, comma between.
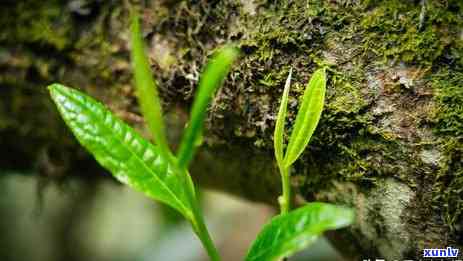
x: 307, y: 117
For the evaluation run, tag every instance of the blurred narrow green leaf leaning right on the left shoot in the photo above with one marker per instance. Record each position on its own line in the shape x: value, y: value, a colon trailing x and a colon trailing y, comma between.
x: 211, y: 79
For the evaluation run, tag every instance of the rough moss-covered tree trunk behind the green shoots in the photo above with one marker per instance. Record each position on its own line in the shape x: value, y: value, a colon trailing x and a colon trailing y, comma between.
x: 389, y: 142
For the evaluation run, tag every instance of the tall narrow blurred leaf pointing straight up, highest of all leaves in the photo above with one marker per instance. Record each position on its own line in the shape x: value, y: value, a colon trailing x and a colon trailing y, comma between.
x: 147, y: 92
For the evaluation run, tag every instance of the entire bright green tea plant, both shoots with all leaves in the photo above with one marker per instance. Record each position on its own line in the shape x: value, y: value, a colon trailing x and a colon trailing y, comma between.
x: 162, y: 175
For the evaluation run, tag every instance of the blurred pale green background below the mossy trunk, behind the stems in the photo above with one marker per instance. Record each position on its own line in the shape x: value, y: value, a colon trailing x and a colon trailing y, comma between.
x: 103, y: 220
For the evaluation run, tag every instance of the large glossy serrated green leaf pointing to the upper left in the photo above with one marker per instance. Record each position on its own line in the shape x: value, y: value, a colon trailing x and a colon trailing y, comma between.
x: 120, y: 149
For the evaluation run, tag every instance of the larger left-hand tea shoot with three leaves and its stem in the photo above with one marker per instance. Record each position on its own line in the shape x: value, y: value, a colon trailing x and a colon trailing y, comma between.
x: 150, y: 168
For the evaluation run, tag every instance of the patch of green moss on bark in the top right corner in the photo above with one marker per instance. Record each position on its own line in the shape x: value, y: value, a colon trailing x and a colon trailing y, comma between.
x: 411, y: 33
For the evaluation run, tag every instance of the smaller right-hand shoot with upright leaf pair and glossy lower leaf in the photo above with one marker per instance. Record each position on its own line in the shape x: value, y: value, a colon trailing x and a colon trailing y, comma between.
x: 292, y: 231
